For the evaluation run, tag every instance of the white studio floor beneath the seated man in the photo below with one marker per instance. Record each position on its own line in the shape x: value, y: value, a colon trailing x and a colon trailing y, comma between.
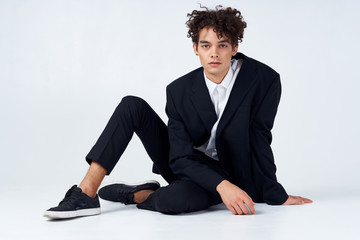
x: 333, y: 215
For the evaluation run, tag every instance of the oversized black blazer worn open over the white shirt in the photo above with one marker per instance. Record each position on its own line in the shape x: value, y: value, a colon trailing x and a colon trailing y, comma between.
x: 243, y: 135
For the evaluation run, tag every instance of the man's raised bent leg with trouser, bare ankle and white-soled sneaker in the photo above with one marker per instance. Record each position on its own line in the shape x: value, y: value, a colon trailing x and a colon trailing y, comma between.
x: 132, y: 115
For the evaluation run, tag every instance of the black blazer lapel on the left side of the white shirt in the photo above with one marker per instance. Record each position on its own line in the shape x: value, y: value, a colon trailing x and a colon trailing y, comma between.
x: 202, y: 101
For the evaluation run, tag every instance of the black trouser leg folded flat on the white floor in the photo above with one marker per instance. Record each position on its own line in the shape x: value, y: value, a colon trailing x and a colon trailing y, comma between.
x: 180, y: 196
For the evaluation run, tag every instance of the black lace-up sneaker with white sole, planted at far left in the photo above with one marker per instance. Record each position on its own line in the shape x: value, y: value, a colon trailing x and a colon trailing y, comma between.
x: 75, y: 204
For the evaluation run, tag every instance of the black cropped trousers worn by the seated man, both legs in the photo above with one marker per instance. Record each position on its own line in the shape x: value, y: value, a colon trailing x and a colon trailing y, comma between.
x: 133, y: 114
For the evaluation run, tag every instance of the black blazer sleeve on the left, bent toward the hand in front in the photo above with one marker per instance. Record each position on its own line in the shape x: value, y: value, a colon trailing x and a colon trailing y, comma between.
x: 183, y: 161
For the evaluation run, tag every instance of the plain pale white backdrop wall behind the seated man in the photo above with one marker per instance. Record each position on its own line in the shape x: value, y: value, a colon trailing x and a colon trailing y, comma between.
x: 65, y: 65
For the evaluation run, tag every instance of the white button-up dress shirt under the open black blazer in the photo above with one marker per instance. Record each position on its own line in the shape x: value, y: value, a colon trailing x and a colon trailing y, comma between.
x: 219, y: 94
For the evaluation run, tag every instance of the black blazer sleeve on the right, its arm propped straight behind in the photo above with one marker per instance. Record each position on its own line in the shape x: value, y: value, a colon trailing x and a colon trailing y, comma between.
x: 260, y: 140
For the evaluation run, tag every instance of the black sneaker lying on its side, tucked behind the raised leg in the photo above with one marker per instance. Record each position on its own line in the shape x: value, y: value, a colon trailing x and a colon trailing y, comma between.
x: 124, y: 193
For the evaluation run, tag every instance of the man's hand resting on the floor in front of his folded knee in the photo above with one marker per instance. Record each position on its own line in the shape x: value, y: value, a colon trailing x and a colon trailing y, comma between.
x: 235, y: 198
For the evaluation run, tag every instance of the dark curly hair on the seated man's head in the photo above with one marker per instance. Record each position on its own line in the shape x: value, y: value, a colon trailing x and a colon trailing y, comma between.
x: 226, y: 22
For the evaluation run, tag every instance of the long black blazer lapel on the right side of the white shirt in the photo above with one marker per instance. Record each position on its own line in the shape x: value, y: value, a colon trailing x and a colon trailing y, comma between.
x: 244, y: 81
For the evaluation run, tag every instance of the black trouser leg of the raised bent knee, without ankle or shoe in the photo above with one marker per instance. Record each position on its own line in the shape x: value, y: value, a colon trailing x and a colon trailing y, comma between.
x: 133, y: 114
